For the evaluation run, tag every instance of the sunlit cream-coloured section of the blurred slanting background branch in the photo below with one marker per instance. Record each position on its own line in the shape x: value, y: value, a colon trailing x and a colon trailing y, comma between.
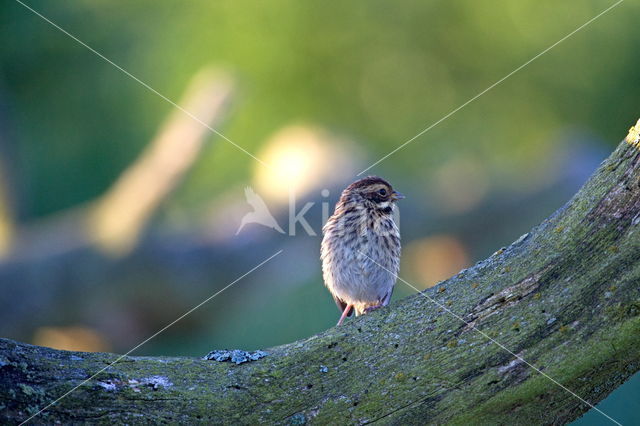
x: 119, y: 216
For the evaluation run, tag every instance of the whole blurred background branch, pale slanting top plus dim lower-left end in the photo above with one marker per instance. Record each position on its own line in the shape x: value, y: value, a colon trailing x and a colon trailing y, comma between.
x: 115, y: 220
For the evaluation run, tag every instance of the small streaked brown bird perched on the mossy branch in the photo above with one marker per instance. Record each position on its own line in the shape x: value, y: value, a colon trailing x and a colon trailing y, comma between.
x: 360, y: 248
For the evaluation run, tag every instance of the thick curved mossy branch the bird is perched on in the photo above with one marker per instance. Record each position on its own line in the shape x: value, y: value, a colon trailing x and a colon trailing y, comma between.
x: 564, y: 297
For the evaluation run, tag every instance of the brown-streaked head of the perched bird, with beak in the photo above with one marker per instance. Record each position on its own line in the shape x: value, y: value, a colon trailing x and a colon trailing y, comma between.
x: 372, y: 192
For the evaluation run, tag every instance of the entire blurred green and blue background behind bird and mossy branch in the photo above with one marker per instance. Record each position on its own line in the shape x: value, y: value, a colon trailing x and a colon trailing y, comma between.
x: 320, y: 90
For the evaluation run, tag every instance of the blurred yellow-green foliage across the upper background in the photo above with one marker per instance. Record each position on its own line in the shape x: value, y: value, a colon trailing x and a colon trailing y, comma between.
x: 376, y: 71
